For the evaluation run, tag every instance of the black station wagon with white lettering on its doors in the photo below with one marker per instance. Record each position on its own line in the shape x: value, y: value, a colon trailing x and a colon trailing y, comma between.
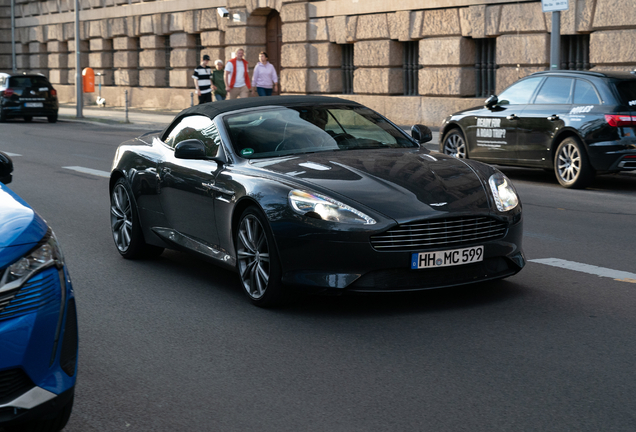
x: 572, y: 122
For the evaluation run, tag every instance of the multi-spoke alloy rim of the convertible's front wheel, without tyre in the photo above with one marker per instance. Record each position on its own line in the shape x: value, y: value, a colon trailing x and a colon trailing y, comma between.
x: 253, y: 256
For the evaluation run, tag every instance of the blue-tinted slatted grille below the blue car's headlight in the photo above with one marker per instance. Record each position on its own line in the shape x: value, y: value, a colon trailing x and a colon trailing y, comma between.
x: 40, y: 291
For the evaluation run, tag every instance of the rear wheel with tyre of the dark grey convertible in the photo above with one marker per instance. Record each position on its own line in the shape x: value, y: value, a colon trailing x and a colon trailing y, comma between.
x: 125, y: 226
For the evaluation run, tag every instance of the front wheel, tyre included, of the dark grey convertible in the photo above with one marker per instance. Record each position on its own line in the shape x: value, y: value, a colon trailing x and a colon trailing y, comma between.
x: 257, y: 259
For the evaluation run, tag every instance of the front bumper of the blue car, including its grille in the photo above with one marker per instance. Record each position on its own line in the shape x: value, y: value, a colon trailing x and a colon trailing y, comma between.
x: 38, y: 342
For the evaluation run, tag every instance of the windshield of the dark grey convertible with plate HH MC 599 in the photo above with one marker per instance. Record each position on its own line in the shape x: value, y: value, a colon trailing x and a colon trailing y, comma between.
x: 282, y: 131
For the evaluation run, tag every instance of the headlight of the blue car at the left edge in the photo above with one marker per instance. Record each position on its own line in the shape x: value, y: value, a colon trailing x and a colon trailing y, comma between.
x: 47, y: 254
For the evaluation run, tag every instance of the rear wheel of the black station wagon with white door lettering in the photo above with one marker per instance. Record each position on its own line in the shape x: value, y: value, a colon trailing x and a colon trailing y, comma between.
x: 571, y: 165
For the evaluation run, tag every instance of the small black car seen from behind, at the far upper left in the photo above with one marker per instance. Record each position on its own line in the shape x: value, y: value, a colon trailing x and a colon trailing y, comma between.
x: 27, y: 96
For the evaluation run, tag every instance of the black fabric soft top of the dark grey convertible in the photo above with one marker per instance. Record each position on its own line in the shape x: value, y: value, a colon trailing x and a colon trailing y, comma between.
x: 212, y: 109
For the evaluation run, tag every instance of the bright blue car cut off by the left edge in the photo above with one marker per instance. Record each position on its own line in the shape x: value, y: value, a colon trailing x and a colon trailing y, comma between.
x: 38, y: 319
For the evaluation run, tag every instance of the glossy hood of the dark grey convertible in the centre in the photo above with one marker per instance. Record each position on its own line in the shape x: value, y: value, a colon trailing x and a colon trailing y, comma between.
x: 403, y: 184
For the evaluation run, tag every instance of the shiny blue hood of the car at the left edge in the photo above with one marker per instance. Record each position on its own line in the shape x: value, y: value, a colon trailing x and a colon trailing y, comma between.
x: 20, y: 227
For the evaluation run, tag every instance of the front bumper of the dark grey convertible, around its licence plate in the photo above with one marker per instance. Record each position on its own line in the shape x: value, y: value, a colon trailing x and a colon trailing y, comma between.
x: 319, y: 264
